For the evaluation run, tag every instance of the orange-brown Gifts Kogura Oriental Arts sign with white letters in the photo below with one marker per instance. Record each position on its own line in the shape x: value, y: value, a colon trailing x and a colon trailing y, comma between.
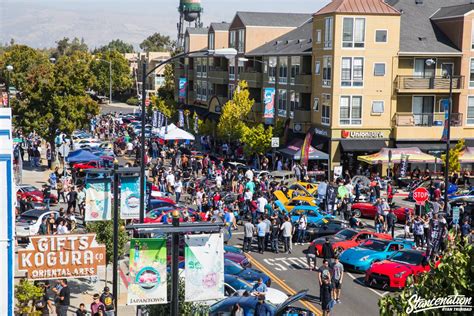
x: 61, y: 256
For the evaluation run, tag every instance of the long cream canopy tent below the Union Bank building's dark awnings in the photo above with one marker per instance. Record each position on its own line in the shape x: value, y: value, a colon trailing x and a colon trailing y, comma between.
x: 413, y: 154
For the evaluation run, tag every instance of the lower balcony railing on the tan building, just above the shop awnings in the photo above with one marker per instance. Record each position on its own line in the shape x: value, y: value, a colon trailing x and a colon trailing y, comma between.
x: 426, y: 119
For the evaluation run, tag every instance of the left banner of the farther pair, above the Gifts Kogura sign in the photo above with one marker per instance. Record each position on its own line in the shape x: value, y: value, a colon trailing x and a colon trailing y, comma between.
x: 98, y: 200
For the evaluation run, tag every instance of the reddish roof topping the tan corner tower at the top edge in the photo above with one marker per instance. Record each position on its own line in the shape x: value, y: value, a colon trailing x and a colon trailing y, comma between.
x: 358, y: 7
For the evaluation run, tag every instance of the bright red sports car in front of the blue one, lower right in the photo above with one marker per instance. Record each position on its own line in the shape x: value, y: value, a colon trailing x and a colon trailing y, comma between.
x: 392, y: 274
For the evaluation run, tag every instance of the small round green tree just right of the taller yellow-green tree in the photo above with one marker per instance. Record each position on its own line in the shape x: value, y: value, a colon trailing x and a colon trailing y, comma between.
x: 257, y: 140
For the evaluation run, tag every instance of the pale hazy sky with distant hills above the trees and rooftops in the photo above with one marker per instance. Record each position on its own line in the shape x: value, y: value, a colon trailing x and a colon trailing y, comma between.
x: 40, y: 23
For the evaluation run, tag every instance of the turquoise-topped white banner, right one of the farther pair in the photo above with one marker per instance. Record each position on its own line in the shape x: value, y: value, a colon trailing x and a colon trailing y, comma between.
x: 130, y: 198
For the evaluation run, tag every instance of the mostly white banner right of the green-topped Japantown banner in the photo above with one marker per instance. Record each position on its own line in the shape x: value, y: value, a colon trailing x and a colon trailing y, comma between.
x: 204, y: 267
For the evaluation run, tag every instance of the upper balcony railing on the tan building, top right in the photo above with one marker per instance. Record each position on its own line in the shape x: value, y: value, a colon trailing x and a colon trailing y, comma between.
x: 411, y: 84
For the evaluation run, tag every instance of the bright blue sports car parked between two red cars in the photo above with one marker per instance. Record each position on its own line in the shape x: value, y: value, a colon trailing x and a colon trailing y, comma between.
x: 360, y: 258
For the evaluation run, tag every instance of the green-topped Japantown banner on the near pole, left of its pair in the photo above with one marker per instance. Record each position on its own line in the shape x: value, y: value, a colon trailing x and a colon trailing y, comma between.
x: 148, y: 284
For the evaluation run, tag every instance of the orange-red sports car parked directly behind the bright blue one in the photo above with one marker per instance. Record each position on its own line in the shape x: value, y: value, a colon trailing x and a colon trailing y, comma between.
x: 347, y: 238
